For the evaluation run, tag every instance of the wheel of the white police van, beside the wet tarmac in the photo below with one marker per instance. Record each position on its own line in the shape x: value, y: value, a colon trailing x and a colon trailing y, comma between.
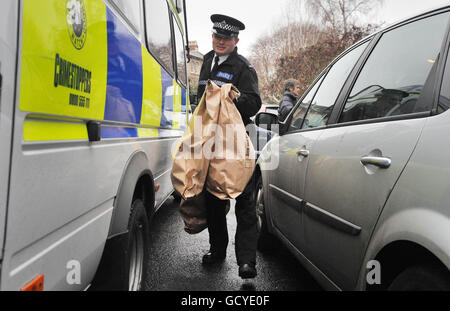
x: 138, y: 247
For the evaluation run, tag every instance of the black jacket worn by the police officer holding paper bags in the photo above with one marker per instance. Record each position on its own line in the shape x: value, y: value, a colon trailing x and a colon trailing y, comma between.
x: 237, y: 70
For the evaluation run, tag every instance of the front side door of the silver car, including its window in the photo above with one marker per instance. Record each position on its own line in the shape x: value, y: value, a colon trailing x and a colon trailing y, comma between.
x: 287, y: 191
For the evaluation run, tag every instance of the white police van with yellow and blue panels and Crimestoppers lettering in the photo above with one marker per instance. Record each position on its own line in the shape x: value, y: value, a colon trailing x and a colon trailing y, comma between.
x: 93, y: 98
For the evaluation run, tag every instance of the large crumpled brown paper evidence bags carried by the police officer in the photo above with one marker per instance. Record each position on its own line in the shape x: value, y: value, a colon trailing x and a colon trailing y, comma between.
x: 215, y: 154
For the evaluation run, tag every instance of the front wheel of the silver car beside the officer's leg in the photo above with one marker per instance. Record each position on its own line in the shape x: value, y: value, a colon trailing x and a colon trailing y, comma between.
x: 267, y: 243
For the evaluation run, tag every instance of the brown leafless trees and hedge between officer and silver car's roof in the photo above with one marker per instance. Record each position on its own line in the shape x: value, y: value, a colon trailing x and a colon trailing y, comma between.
x: 306, y: 38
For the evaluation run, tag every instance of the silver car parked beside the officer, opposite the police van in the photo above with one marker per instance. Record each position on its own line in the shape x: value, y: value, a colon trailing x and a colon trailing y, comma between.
x: 357, y: 183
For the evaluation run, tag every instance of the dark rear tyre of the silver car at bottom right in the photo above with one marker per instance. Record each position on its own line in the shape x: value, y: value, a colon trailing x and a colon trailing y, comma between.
x: 422, y: 278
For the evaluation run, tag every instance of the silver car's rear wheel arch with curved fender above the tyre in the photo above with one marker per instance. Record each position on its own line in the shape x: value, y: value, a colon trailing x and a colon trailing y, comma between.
x: 410, y: 237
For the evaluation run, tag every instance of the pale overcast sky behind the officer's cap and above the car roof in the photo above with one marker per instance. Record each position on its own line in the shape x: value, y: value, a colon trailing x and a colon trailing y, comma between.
x: 260, y: 16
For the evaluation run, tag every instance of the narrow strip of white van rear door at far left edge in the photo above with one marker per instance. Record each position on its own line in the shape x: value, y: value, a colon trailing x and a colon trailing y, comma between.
x: 8, y: 45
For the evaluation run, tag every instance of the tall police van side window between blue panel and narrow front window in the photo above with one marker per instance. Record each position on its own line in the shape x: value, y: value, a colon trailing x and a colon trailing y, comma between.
x: 159, y: 36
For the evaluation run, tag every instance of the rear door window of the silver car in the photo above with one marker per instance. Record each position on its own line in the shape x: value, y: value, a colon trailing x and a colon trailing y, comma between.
x: 393, y: 77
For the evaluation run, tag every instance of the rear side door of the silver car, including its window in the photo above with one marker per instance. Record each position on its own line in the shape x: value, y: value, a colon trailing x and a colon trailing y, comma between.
x: 355, y: 164
